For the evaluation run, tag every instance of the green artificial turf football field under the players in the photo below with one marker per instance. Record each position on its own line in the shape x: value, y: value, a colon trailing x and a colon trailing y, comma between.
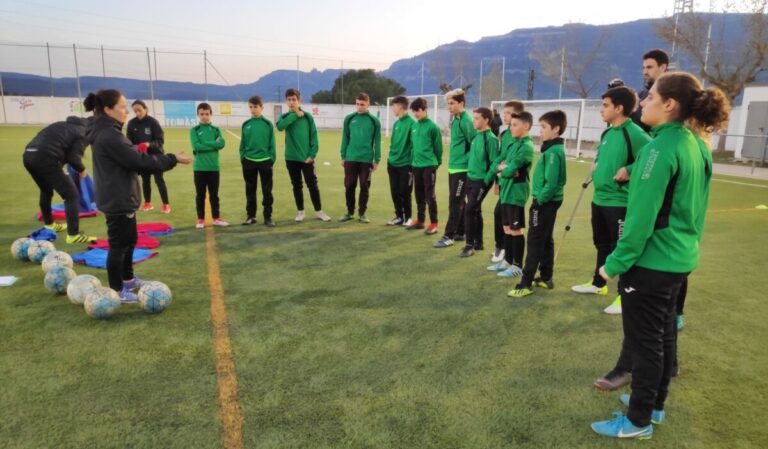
x: 349, y: 335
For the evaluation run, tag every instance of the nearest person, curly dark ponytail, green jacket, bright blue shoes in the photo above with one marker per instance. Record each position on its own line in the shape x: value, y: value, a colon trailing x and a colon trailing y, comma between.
x: 668, y: 195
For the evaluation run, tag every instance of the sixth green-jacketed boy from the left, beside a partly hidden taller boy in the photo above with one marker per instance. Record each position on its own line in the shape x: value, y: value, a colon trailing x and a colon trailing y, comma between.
x: 427, y: 156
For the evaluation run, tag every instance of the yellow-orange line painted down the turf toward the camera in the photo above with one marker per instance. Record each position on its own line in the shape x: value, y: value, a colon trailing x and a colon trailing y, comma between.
x: 229, y: 407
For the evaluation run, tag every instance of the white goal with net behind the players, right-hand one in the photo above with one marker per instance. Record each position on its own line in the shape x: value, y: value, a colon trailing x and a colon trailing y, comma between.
x: 583, y: 123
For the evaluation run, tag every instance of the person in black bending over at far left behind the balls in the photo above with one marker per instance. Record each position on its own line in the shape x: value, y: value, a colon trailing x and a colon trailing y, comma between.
x: 44, y: 158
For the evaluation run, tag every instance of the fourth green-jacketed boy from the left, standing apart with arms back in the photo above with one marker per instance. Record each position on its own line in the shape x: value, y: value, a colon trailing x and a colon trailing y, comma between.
x: 360, y: 155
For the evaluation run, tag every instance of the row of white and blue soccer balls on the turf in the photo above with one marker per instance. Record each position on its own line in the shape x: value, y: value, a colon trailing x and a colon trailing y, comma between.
x: 86, y: 290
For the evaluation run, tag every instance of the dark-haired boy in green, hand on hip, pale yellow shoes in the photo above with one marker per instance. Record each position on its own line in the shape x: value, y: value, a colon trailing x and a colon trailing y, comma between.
x: 619, y: 146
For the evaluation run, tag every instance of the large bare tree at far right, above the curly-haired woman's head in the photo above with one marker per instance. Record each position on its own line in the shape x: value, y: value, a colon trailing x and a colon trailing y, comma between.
x: 724, y: 64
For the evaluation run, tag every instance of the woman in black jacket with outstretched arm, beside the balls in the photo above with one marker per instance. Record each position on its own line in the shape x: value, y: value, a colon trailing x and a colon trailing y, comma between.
x: 116, y: 163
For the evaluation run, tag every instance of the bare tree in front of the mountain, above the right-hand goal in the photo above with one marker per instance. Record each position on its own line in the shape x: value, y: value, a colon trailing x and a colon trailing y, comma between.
x: 564, y: 60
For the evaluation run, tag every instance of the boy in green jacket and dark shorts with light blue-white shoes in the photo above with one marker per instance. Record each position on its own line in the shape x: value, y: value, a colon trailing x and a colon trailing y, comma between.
x: 513, y: 179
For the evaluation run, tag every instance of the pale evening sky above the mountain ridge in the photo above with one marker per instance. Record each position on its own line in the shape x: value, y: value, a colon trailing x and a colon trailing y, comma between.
x: 247, y: 39
